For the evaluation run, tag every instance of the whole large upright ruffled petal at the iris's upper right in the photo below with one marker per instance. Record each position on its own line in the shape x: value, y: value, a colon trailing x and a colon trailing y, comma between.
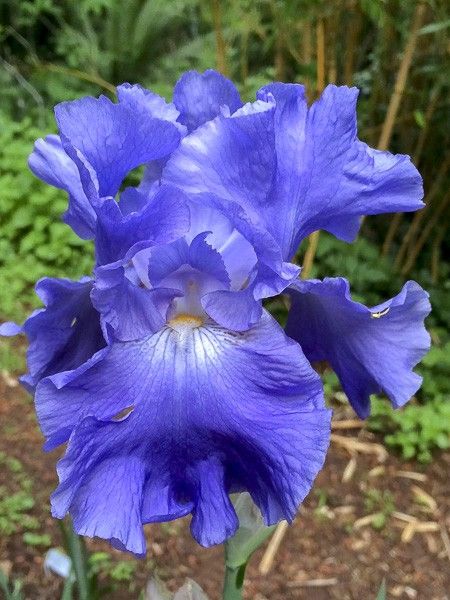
x: 296, y: 169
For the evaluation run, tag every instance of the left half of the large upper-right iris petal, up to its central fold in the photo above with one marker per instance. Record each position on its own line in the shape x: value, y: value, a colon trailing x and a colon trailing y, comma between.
x: 231, y: 158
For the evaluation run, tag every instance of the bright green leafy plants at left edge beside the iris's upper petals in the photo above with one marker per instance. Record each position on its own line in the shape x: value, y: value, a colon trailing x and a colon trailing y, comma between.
x: 33, y: 240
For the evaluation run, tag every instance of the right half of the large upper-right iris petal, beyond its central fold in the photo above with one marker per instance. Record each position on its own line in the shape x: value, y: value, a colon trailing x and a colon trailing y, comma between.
x: 326, y: 178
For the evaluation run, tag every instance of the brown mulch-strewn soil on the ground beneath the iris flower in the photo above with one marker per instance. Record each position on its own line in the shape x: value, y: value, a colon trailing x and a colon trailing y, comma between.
x: 323, y: 543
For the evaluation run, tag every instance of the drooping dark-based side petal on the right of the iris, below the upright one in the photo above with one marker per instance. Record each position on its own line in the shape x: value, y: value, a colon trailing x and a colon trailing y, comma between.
x: 372, y: 350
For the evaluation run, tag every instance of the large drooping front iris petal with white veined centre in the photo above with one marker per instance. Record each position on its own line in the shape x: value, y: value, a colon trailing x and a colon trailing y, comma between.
x: 198, y: 412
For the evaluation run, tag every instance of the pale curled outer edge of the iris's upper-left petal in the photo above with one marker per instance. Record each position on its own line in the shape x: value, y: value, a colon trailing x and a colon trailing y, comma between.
x: 49, y: 162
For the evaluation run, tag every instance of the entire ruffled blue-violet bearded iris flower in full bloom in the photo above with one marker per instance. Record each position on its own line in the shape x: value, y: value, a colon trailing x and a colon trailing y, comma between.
x: 171, y: 384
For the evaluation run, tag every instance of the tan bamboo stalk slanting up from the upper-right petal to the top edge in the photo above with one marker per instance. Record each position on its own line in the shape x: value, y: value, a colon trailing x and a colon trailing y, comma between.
x: 402, y: 76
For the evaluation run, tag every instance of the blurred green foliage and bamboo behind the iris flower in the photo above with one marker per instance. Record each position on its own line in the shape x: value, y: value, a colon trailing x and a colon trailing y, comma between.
x: 395, y: 51
